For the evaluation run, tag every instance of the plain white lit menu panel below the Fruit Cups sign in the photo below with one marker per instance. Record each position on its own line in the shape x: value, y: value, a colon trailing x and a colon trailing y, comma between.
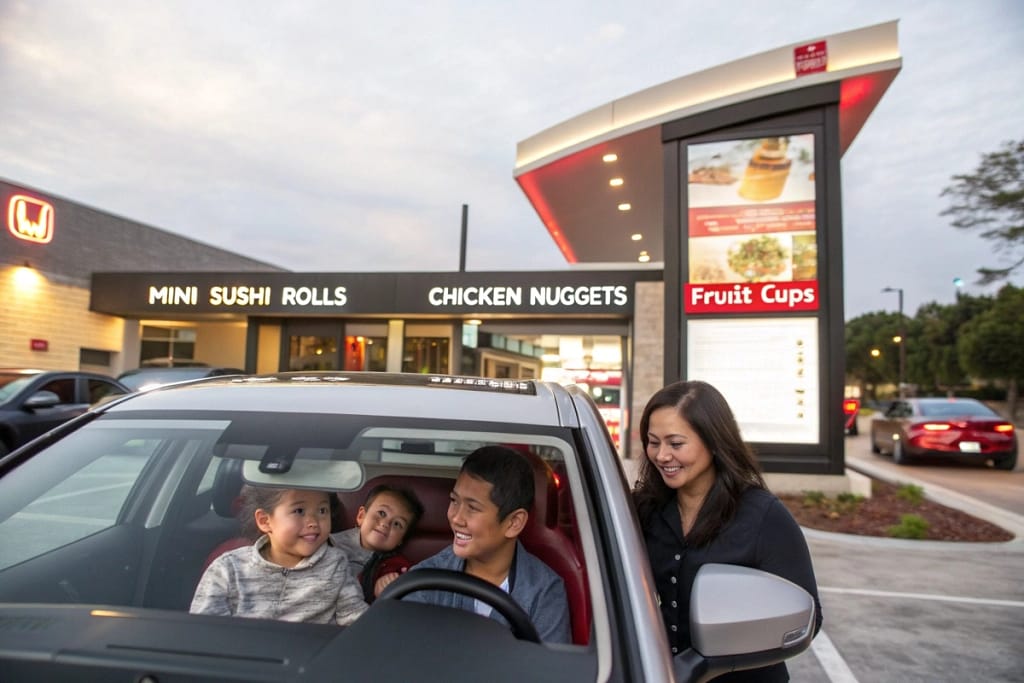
x: 767, y: 369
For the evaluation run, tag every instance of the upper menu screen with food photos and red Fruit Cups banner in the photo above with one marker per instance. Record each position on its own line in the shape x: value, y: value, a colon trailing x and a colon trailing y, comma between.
x: 753, y: 231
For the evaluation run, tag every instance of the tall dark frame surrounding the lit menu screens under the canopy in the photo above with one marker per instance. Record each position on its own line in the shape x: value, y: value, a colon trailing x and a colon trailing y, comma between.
x: 813, y: 110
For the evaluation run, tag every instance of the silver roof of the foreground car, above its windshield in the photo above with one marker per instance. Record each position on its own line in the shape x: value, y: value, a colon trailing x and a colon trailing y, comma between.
x: 429, y: 397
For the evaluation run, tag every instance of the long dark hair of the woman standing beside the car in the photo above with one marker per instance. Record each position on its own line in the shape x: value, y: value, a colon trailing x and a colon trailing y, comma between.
x: 736, y: 466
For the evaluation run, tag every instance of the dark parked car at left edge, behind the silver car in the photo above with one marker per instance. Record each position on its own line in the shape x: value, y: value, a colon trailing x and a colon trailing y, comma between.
x: 34, y: 402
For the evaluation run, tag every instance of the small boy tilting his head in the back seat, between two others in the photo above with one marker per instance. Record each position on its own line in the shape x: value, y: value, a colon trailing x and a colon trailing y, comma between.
x: 382, y: 525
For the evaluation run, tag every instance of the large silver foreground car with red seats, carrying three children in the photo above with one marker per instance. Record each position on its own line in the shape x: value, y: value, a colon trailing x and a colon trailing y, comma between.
x: 99, y: 586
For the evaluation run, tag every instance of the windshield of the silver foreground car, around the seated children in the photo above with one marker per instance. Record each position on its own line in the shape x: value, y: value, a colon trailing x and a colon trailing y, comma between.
x: 148, y: 500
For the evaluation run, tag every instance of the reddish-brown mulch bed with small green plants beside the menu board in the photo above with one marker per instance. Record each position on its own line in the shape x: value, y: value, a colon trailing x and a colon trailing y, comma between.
x: 874, y: 517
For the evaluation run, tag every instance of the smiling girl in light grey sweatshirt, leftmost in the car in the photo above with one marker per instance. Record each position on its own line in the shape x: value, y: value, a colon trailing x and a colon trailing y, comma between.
x: 291, y: 573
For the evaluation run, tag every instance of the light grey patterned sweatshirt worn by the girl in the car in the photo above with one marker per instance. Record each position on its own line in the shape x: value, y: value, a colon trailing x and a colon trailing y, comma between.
x: 320, y: 589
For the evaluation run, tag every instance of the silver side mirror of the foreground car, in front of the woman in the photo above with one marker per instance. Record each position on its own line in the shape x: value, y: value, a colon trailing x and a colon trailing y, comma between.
x: 744, y: 619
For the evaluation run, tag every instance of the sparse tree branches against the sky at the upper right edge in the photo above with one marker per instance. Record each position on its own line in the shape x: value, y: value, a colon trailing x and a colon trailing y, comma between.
x: 993, y: 199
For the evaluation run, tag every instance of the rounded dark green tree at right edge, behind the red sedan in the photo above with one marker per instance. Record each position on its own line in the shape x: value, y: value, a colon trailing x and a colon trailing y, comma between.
x: 992, y: 345
